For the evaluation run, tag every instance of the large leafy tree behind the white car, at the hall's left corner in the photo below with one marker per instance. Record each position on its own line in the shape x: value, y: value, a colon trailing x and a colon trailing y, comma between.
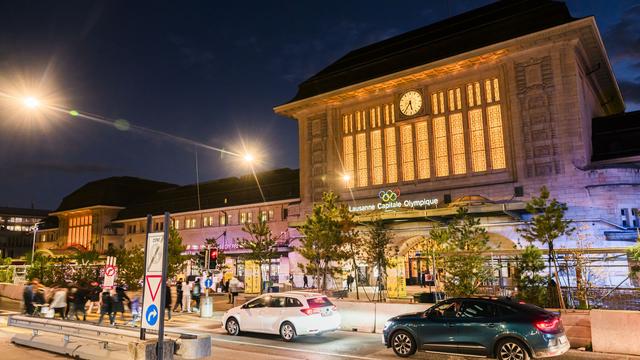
x: 327, y: 231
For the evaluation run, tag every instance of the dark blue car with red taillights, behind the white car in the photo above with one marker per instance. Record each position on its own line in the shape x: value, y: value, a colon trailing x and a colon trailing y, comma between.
x: 499, y: 328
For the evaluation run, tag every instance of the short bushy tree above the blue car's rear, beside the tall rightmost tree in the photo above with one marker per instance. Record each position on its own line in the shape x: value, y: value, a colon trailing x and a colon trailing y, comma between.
x: 531, y: 285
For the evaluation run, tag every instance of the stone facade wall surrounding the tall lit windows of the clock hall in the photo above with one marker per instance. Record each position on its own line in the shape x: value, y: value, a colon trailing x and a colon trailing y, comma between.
x: 550, y: 97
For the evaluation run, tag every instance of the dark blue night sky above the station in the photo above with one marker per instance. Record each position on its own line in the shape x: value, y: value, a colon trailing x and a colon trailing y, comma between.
x: 210, y: 71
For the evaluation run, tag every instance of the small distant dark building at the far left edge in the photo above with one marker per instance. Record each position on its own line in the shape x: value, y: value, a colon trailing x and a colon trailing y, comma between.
x: 16, y: 230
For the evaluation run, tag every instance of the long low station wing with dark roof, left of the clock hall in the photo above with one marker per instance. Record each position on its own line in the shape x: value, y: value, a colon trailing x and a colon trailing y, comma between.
x: 111, y: 213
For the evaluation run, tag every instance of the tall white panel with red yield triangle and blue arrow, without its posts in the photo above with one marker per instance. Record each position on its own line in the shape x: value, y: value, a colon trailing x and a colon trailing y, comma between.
x: 152, y: 306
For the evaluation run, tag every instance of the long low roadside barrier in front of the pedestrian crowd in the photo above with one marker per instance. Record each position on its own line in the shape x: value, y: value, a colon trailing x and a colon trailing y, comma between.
x: 186, y: 345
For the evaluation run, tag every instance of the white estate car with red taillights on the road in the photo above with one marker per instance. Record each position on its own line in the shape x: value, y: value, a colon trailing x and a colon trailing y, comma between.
x: 289, y: 314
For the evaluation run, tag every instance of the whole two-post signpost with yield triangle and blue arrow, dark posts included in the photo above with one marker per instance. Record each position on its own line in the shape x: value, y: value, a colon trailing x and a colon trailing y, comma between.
x: 155, y: 279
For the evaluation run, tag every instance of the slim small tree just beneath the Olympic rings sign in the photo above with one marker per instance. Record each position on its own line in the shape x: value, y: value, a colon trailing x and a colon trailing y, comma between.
x: 375, y: 249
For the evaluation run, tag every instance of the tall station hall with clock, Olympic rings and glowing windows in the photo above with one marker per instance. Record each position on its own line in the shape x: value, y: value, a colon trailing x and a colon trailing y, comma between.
x: 479, y: 110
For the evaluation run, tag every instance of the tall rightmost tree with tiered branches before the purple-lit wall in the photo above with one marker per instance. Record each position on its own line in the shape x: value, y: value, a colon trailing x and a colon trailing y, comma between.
x: 546, y: 225
